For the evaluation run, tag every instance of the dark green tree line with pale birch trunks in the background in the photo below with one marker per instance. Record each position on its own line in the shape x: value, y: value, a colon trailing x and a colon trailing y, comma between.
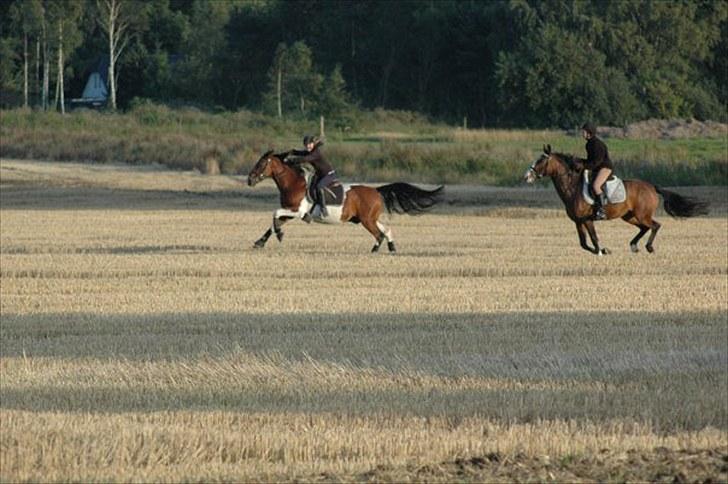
x: 525, y: 63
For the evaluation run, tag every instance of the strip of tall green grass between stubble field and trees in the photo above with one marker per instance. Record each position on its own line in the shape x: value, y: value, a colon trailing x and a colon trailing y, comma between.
x: 385, y: 146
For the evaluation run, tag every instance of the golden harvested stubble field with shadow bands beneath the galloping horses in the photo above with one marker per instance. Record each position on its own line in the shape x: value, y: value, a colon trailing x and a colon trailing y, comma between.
x: 143, y: 339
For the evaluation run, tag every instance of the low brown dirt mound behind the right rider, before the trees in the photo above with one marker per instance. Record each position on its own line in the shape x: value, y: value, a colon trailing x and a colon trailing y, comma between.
x: 667, y: 129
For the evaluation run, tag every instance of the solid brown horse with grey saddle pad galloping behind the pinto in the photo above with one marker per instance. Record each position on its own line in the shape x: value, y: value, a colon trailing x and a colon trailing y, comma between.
x: 638, y: 209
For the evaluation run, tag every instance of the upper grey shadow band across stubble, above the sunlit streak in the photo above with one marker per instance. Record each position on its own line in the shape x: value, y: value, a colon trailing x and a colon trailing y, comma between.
x: 509, y: 344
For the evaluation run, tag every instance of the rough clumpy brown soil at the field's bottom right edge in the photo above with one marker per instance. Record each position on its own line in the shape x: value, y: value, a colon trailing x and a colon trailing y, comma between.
x: 659, y: 465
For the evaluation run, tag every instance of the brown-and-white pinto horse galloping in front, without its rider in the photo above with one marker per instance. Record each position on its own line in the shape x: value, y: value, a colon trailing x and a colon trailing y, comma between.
x: 362, y: 204
